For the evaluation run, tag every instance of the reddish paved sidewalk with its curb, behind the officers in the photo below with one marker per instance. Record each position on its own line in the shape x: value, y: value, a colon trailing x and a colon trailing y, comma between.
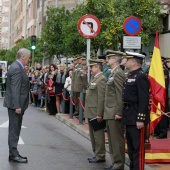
x: 83, y: 130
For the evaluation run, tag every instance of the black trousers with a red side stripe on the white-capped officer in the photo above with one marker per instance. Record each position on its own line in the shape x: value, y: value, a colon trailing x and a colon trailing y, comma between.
x: 135, y: 144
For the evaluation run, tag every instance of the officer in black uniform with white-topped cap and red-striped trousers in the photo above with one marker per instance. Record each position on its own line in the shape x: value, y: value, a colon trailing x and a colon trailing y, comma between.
x: 135, y: 110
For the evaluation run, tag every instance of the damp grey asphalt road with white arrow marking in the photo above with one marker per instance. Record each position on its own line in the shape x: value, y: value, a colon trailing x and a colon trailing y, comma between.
x: 48, y: 143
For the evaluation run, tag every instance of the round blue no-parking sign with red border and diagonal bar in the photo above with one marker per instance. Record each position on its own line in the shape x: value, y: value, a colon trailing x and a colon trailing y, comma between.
x: 132, y: 26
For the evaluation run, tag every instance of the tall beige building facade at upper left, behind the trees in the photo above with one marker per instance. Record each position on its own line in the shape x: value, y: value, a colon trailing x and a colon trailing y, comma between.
x: 28, y: 17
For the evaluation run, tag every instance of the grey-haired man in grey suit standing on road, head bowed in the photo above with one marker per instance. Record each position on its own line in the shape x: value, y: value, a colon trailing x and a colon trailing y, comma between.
x: 16, y: 100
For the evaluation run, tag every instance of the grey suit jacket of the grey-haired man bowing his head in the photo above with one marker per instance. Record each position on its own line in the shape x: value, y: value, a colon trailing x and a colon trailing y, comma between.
x: 17, y: 92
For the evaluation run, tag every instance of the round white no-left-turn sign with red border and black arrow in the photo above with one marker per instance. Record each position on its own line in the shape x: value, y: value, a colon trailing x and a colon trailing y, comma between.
x: 89, y: 26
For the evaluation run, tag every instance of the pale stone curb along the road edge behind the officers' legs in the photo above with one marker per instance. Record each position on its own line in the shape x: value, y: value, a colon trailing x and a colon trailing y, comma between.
x: 78, y: 128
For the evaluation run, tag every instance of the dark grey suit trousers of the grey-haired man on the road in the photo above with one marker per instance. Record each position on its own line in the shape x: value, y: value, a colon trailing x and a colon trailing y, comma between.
x: 15, y: 122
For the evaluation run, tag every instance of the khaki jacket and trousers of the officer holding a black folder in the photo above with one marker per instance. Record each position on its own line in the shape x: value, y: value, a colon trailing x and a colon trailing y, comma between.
x: 94, y: 106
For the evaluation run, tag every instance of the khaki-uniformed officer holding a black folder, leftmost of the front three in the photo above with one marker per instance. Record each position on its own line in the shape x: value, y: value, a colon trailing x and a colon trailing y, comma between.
x: 94, y: 108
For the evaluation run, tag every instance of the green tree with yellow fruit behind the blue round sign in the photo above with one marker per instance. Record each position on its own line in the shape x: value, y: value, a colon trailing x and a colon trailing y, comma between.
x: 114, y: 12
